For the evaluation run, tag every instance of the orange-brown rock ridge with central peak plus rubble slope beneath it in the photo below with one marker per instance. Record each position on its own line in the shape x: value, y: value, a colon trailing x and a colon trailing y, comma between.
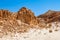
x: 19, y: 21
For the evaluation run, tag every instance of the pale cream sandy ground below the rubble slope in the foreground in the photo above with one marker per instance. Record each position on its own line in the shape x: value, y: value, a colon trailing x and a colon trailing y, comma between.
x: 34, y: 34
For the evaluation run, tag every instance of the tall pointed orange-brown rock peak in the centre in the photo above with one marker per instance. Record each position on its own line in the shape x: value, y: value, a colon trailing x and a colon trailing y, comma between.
x: 27, y: 16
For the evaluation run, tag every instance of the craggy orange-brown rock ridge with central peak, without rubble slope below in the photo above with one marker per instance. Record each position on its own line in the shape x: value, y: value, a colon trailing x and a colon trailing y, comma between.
x: 25, y: 15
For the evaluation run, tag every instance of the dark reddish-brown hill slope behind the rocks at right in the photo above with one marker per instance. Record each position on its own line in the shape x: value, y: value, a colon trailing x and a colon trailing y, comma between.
x: 51, y: 16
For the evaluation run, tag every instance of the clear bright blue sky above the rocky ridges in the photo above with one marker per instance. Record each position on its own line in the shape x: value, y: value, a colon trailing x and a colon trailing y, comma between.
x: 37, y: 6
